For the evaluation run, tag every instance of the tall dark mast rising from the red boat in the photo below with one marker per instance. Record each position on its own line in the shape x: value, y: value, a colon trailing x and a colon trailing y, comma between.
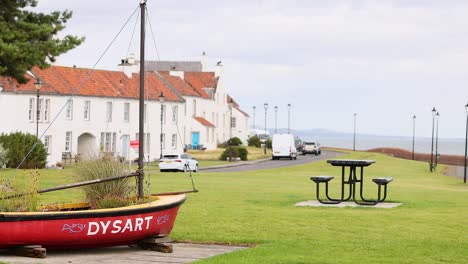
x: 141, y: 135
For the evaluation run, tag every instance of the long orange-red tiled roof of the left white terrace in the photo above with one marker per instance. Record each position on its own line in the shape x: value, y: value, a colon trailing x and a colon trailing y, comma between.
x: 100, y: 83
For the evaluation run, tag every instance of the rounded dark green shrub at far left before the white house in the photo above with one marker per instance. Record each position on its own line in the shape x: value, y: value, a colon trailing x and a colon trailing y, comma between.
x: 18, y: 145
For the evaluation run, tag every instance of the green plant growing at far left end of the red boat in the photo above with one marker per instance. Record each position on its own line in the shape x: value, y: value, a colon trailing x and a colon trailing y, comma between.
x: 19, y: 193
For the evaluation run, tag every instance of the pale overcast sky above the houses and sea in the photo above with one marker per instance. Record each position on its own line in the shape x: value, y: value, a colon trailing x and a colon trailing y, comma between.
x: 384, y: 60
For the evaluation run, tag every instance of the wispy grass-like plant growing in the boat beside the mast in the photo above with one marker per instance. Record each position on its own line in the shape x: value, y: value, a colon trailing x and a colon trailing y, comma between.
x: 110, y: 194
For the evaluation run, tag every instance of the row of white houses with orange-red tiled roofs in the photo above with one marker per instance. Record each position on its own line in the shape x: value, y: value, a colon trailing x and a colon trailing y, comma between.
x: 98, y: 112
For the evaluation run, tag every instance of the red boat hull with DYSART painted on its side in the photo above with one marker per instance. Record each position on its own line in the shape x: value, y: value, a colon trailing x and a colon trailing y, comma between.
x: 90, y: 228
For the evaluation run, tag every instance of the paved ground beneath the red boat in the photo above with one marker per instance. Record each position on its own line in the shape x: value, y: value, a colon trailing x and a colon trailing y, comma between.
x: 183, y: 253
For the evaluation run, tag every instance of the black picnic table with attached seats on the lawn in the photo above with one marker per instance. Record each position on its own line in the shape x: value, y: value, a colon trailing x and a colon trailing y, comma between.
x: 350, y: 182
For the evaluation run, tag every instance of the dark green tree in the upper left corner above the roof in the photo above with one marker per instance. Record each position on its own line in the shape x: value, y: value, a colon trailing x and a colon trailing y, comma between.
x: 28, y: 39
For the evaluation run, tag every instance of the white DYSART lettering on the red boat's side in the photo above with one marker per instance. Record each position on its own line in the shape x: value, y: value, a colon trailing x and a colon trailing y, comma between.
x: 114, y: 227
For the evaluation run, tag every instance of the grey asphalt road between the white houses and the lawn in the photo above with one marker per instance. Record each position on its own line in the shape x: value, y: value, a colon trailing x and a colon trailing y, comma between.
x: 268, y: 164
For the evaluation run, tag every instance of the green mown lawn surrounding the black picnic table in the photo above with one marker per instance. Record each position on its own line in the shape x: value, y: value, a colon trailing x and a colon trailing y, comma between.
x: 257, y: 208
